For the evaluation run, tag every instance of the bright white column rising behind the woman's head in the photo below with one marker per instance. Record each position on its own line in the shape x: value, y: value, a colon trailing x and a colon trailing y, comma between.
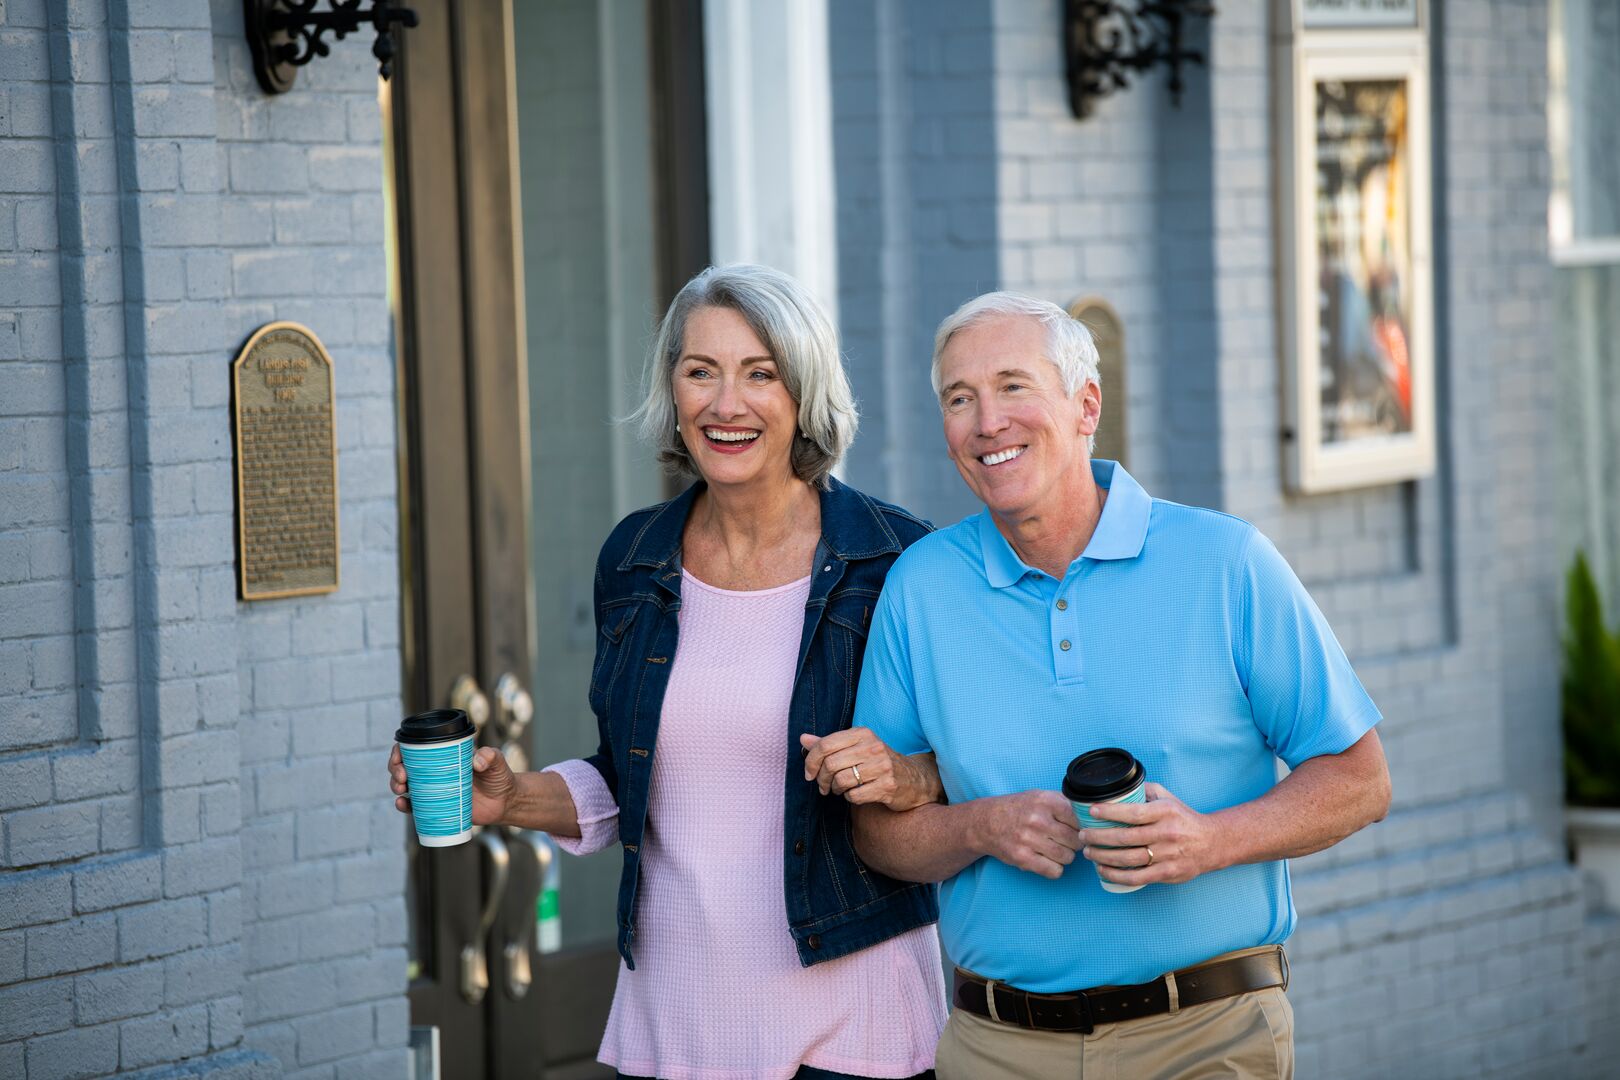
x: 770, y: 140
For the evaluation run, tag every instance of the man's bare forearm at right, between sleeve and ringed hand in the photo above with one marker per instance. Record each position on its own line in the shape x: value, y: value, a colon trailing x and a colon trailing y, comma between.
x: 1315, y: 807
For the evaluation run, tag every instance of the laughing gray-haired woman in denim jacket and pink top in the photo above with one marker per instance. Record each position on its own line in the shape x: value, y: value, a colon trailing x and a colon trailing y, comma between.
x: 731, y: 624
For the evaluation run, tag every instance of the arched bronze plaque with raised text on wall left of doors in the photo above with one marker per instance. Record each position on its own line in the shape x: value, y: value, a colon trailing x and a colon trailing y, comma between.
x: 286, y: 464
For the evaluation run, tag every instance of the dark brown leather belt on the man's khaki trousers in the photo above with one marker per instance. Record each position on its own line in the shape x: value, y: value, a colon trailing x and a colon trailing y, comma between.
x: 1083, y: 1010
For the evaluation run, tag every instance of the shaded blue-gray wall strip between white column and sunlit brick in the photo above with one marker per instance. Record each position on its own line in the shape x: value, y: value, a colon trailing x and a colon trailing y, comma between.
x: 916, y: 179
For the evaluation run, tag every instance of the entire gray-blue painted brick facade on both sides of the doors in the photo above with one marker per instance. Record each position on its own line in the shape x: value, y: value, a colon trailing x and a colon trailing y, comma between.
x: 197, y: 874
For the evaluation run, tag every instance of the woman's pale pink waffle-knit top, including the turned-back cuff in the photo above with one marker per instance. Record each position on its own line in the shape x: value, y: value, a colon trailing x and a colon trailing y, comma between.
x: 718, y: 992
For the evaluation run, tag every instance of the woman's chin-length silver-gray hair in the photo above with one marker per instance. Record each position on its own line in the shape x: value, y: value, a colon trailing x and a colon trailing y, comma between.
x: 803, y: 342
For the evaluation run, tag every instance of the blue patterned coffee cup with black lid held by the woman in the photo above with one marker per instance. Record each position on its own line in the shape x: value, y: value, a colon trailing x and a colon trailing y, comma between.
x: 438, y: 752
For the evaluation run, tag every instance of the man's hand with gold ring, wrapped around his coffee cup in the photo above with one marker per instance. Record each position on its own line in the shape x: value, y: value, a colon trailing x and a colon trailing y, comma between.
x: 1183, y: 843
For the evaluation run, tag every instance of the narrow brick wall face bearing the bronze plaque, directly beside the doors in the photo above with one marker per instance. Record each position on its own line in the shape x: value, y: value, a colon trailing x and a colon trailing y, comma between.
x: 318, y: 678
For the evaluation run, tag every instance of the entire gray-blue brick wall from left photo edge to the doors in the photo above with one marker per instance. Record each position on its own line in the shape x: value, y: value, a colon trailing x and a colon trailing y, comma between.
x: 197, y: 870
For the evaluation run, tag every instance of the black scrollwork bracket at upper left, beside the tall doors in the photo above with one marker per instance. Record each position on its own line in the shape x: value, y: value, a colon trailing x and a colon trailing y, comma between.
x: 288, y: 35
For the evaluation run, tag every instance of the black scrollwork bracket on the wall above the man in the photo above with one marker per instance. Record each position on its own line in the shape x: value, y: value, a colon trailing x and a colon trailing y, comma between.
x: 1107, y: 40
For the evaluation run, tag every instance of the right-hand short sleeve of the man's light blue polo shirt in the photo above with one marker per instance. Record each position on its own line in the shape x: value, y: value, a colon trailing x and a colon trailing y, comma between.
x: 1303, y: 692
